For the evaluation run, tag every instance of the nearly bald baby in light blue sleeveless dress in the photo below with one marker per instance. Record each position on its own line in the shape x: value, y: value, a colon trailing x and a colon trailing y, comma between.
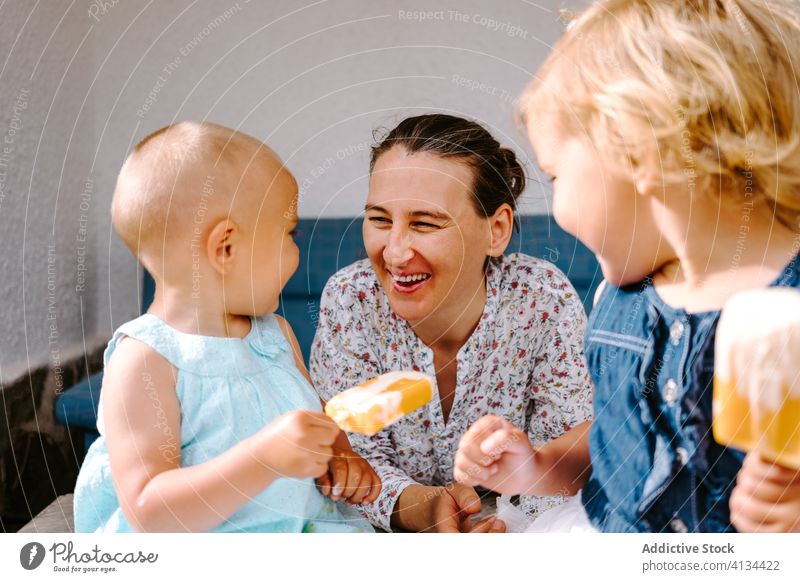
x: 207, y: 418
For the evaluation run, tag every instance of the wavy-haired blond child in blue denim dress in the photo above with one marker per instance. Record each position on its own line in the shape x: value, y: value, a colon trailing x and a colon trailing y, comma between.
x: 669, y: 129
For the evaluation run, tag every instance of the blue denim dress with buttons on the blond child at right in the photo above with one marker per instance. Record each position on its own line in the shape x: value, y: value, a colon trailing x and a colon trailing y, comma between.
x: 655, y: 464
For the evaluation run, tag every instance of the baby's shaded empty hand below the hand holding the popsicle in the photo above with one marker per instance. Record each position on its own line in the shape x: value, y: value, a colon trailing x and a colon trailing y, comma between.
x: 350, y: 477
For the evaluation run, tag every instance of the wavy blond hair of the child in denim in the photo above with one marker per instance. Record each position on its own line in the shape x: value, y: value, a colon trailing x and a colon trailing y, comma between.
x: 704, y: 90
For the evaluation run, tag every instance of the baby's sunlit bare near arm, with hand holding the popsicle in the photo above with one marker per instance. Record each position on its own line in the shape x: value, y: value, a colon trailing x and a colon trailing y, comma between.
x: 142, y: 418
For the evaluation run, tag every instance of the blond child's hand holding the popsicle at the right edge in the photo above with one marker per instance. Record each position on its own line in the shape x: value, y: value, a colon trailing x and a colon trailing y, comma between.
x: 766, y: 497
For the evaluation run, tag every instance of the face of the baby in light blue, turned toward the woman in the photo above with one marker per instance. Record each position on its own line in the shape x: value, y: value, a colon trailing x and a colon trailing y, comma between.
x: 271, y: 255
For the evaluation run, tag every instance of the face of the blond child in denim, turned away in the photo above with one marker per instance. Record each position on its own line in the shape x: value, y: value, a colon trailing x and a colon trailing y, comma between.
x: 600, y: 208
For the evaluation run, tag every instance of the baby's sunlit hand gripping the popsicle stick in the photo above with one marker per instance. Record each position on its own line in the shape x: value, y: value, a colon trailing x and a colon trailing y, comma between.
x: 297, y: 444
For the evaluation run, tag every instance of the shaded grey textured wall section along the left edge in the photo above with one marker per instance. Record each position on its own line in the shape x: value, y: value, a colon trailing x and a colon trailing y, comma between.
x: 50, y: 209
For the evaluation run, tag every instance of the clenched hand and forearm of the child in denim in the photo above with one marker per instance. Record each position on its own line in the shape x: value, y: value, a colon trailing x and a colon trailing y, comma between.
x: 497, y: 455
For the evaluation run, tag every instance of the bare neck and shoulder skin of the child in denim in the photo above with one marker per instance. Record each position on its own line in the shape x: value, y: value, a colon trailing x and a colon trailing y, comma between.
x: 721, y: 251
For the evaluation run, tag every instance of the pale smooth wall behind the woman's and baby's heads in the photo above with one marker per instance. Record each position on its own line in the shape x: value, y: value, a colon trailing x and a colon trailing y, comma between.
x: 315, y: 81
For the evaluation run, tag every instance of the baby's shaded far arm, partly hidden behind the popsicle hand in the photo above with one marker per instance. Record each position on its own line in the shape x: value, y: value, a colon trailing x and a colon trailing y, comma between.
x: 350, y: 476
